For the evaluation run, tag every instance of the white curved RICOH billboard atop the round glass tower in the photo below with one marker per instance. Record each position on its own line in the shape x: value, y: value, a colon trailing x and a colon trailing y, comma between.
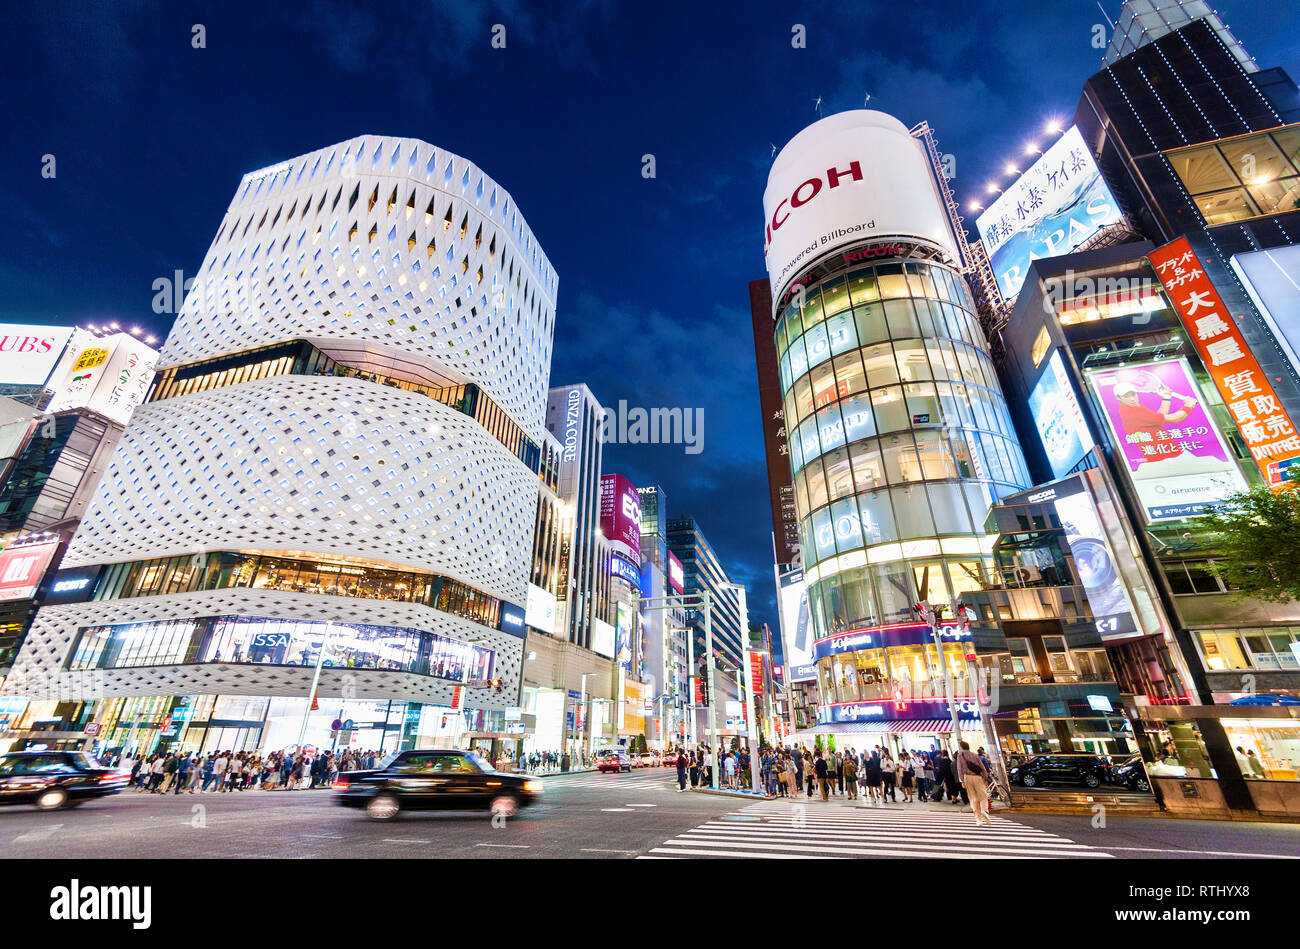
x: 851, y: 177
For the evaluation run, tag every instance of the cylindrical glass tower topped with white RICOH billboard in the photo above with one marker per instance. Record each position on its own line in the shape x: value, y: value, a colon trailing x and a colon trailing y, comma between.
x: 899, y: 434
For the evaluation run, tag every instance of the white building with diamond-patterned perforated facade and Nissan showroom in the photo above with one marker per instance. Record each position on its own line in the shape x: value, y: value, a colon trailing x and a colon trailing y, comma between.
x: 335, y: 478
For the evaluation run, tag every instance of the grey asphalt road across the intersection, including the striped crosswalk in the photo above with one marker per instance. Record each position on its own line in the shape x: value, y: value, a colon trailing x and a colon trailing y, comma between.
x: 590, y: 816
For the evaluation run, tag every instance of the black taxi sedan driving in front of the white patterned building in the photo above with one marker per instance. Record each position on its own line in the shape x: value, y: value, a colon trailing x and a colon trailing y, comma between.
x: 435, y: 781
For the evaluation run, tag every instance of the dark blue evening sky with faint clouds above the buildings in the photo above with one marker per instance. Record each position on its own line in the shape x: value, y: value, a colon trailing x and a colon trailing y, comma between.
x: 151, y: 138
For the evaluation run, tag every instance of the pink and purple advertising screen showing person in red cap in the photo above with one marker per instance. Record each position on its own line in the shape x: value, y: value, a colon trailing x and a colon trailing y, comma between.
x: 1176, y: 456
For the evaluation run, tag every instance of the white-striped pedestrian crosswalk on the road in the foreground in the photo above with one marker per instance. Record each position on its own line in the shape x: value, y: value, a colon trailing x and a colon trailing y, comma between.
x: 777, y: 830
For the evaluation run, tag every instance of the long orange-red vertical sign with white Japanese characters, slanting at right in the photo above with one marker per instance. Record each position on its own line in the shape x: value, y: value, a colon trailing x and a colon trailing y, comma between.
x: 1264, y: 426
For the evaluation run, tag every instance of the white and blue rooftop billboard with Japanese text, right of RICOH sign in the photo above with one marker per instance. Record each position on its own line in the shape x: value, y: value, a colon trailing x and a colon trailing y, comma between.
x: 1051, y: 210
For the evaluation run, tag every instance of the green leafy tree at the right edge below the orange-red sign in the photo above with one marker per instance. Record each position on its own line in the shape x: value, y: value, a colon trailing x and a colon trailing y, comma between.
x: 1256, y: 539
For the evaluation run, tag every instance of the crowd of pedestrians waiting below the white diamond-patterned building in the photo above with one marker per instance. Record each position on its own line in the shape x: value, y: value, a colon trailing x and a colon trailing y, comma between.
x: 192, y: 773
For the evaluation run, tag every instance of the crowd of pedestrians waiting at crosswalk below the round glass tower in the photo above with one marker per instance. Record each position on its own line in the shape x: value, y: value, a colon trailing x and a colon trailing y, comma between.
x: 874, y: 777
